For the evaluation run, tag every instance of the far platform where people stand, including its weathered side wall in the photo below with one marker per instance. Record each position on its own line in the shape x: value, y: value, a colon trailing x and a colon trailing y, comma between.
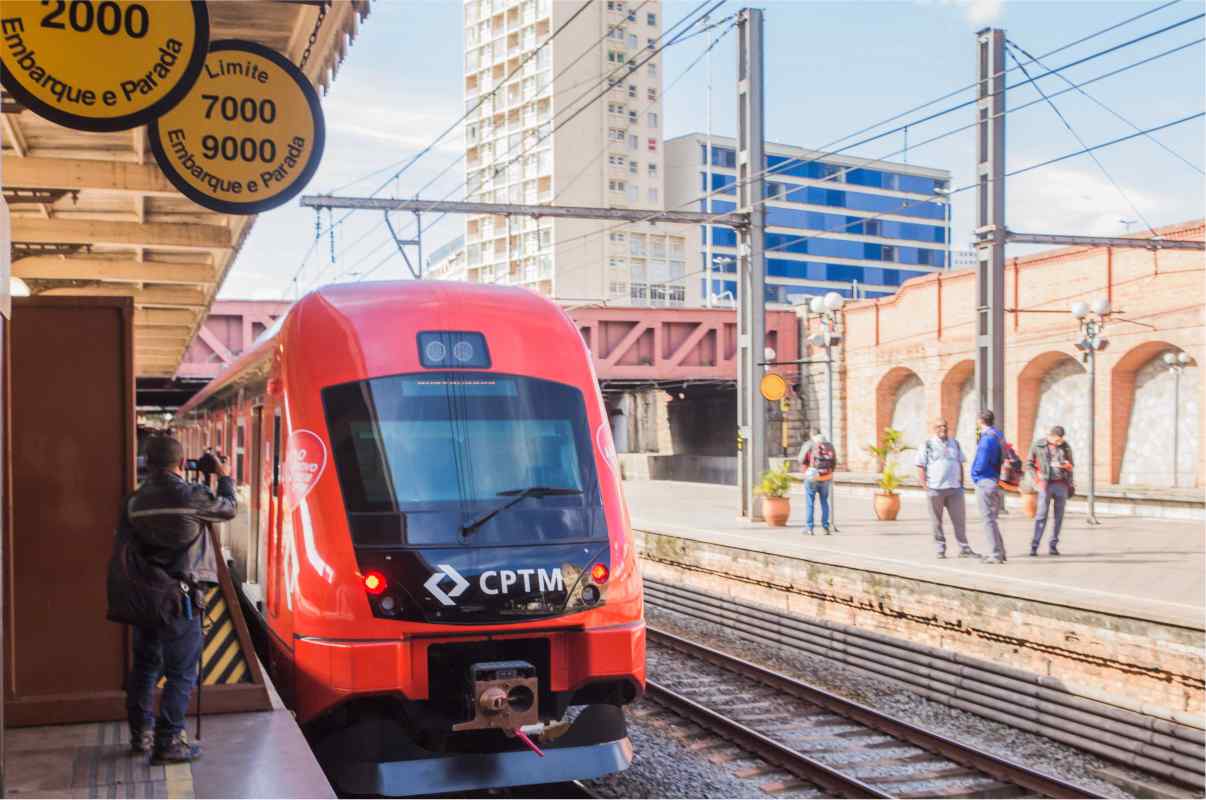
x: 1121, y: 611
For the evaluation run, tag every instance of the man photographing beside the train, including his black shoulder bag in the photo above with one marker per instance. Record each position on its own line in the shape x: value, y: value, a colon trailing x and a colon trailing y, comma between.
x: 163, y: 564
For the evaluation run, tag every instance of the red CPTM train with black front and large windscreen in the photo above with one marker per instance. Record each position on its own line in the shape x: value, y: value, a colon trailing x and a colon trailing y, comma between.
x: 434, y: 536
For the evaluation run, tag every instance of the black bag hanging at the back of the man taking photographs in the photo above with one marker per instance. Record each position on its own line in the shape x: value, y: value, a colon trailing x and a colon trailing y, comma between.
x: 140, y: 593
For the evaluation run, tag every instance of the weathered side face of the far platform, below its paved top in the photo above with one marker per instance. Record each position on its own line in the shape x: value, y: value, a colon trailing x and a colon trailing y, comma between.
x: 1146, y: 662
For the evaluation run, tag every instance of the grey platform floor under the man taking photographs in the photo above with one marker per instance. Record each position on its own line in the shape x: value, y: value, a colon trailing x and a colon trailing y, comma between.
x: 257, y: 755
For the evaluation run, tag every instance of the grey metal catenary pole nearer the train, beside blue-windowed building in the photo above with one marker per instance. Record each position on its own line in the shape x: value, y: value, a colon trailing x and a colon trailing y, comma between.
x: 751, y: 261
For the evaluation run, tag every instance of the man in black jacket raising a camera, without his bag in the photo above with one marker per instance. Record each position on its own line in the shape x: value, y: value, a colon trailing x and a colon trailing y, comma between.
x: 171, y: 521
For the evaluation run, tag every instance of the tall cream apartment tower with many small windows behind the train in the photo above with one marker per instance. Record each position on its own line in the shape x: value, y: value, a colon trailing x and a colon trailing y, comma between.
x: 541, y: 139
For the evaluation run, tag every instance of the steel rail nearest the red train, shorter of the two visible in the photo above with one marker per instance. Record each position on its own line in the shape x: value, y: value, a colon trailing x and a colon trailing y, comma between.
x: 766, y: 749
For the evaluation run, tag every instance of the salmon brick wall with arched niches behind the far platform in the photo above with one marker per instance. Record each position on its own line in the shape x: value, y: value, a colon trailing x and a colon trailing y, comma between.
x: 927, y: 329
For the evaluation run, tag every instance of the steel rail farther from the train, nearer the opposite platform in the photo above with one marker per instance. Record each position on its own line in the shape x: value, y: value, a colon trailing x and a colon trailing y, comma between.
x: 963, y: 755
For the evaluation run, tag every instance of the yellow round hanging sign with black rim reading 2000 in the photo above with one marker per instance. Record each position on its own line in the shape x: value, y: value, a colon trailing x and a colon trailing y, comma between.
x: 102, y: 66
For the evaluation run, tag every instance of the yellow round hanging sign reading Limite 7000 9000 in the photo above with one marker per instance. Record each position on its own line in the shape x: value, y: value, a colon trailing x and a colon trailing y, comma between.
x: 248, y: 137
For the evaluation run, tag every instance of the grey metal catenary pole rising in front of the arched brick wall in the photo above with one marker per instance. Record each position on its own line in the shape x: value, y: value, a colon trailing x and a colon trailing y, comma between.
x: 991, y: 229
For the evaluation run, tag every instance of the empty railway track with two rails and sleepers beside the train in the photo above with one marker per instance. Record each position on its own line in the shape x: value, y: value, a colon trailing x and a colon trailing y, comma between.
x: 801, y: 737
